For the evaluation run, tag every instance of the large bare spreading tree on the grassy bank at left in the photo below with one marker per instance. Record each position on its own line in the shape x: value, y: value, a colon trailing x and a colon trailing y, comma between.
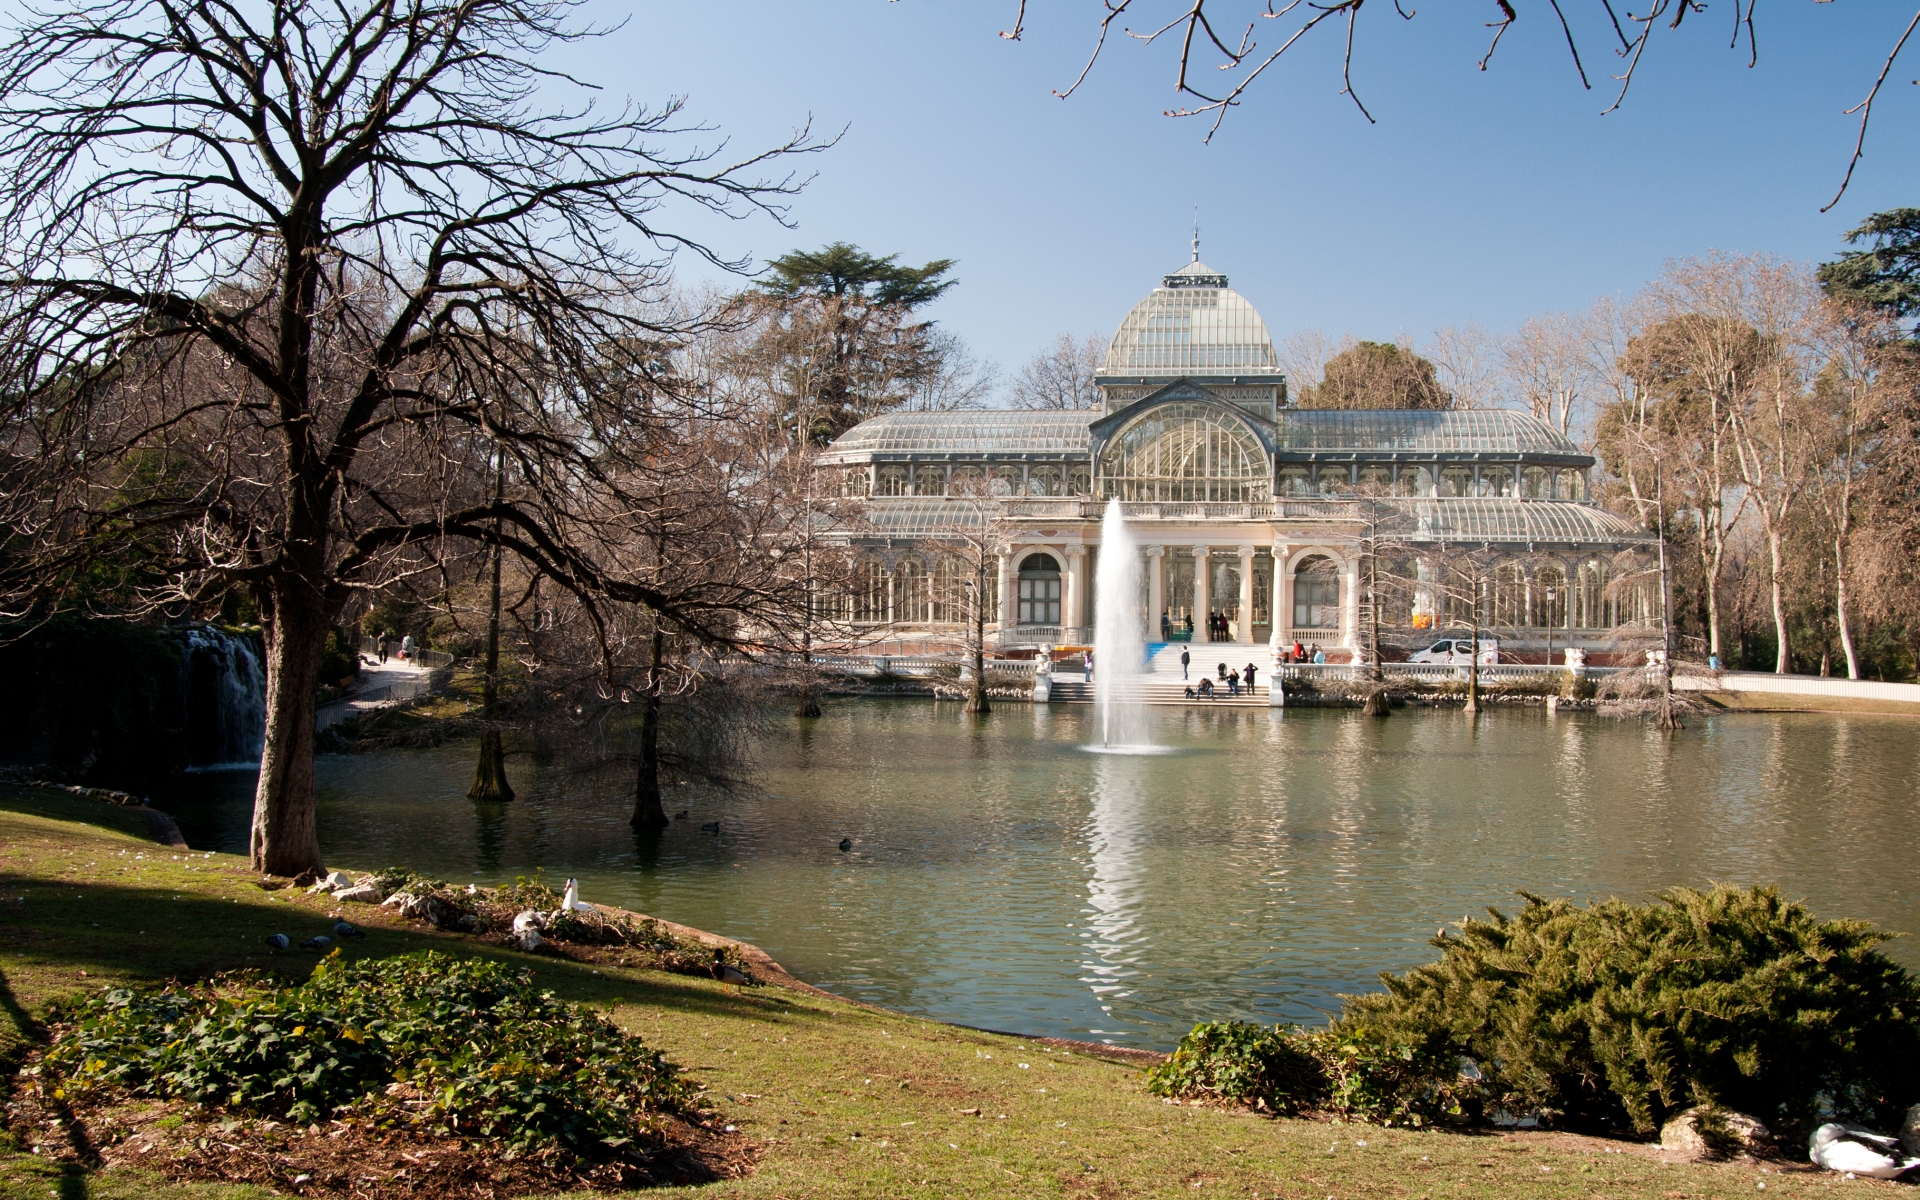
x: 389, y: 239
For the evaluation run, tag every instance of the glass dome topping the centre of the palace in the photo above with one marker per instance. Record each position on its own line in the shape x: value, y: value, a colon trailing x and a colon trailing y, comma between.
x: 1191, y: 325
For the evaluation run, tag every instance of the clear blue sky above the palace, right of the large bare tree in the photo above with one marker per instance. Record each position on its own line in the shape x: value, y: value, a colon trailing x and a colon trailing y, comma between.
x: 1479, y: 197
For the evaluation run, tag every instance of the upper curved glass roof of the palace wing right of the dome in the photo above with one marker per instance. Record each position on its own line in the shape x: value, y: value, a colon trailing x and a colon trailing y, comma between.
x: 1460, y: 431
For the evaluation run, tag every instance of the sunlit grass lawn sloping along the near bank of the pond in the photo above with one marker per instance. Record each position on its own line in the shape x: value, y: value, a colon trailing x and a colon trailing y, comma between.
x: 842, y: 1101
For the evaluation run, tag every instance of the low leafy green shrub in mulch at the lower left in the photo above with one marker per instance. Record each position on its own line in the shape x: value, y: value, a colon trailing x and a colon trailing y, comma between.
x: 475, y: 1045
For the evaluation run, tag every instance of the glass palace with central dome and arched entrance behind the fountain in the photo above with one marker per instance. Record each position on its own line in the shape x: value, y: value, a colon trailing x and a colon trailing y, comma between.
x: 1251, y: 514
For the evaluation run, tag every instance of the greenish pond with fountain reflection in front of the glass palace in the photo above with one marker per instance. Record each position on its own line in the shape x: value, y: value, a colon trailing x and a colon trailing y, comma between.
x: 1003, y: 876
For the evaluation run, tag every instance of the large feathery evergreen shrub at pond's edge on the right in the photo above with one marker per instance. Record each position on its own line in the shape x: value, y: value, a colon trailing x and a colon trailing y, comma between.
x: 1620, y: 1015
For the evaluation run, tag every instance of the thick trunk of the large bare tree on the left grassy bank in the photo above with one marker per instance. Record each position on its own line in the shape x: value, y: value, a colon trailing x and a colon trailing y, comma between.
x: 283, y: 840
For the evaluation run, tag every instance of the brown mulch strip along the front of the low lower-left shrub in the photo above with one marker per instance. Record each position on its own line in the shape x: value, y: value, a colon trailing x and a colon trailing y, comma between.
x: 360, y: 1161
